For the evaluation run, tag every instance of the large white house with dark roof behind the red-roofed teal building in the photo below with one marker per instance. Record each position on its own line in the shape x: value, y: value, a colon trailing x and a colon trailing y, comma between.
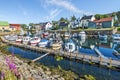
x: 86, y: 19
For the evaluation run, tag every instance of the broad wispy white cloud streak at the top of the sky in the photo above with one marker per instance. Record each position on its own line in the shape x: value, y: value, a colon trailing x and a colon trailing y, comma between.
x: 67, y: 5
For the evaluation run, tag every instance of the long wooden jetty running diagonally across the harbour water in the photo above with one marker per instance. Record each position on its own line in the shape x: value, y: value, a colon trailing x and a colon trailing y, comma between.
x: 84, y: 57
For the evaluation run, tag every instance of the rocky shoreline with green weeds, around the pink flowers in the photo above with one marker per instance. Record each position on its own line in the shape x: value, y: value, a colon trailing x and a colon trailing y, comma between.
x: 36, y: 71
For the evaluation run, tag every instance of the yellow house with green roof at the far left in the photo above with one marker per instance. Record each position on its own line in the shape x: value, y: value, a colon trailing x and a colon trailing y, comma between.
x: 4, y: 26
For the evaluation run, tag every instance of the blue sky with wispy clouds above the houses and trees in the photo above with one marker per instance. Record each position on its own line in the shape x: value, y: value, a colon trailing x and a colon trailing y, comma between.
x: 26, y: 11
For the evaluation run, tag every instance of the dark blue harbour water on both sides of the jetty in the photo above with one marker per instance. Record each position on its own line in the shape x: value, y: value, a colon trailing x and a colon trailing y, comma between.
x: 77, y: 67
